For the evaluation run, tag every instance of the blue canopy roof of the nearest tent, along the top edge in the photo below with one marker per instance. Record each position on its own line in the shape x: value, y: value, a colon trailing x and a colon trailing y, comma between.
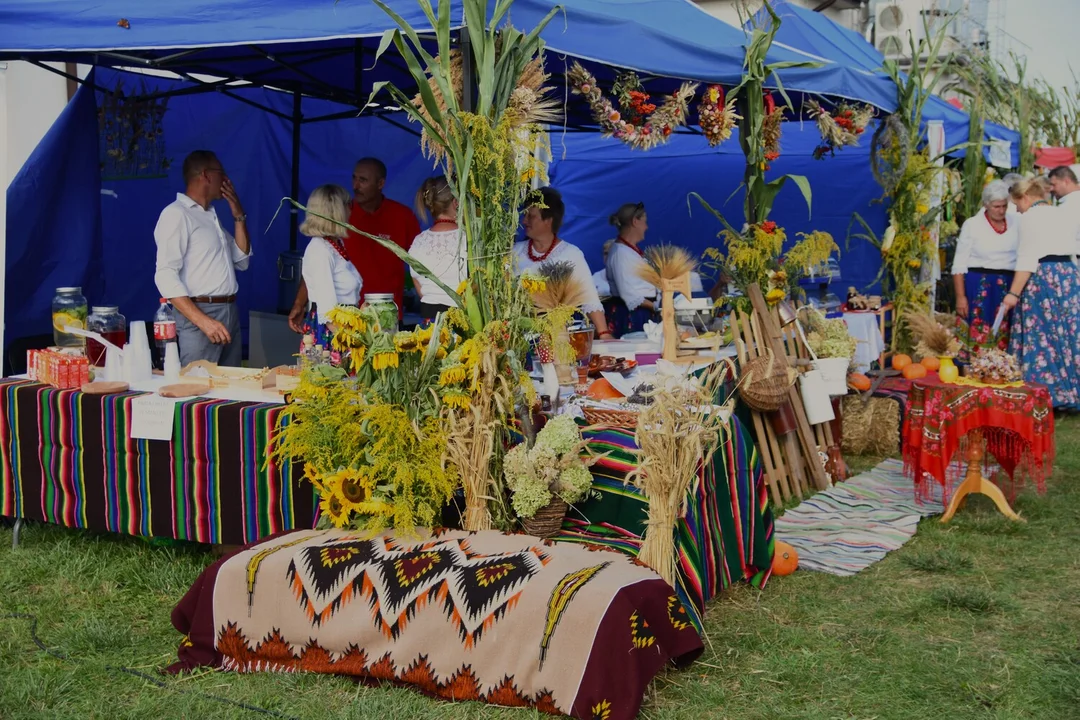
x: 315, y: 45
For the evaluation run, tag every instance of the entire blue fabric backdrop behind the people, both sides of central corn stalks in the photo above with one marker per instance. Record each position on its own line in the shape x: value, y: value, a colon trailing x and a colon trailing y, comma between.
x: 106, y: 243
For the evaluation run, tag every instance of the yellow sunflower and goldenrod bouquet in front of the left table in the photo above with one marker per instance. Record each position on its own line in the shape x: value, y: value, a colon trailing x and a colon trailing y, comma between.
x: 372, y: 431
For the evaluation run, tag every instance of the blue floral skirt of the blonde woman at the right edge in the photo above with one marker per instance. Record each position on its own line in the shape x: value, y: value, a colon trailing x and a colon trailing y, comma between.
x: 1046, y: 332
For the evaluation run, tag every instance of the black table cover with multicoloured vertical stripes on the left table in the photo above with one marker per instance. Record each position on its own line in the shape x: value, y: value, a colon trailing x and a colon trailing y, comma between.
x: 69, y: 459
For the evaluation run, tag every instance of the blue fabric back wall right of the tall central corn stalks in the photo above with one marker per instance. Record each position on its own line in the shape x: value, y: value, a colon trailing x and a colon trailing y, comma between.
x: 597, y: 176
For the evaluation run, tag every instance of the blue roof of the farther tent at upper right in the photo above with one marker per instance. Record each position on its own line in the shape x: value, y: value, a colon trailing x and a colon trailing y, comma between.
x: 815, y: 34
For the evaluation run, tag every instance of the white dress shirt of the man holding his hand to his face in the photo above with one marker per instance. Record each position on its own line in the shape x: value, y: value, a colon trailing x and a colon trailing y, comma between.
x: 196, y: 255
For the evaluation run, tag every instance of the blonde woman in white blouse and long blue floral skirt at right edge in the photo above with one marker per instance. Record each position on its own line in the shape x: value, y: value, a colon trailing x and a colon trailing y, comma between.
x: 1045, y: 296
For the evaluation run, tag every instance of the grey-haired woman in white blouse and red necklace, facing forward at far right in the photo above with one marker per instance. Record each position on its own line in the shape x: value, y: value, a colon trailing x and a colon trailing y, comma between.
x: 985, y: 259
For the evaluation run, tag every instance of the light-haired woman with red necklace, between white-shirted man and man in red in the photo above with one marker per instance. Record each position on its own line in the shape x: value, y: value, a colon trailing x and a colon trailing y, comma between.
x: 331, y: 277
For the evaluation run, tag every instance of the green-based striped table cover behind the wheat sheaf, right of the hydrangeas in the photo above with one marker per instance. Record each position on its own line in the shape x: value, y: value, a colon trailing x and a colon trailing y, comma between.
x: 726, y: 536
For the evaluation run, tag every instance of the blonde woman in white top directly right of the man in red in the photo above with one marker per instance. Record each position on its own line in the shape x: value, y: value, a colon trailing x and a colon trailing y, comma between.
x: 441, y: 249
